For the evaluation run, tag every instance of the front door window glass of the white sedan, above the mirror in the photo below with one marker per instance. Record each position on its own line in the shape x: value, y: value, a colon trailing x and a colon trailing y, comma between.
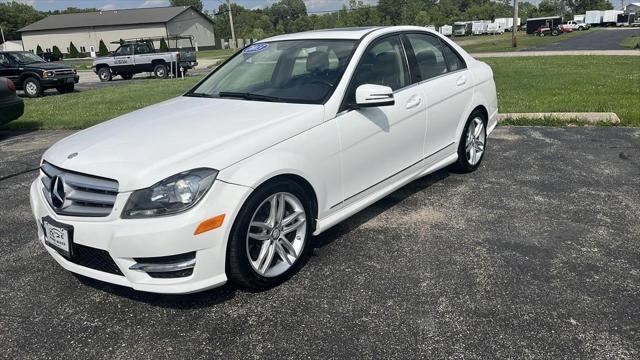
x: 382, y: 64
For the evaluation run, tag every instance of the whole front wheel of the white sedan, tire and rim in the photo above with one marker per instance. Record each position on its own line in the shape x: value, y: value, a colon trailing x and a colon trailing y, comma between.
x: 271, y: 237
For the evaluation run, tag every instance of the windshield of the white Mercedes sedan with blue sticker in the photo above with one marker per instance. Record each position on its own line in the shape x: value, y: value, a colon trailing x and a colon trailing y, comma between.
x: 300, y: 71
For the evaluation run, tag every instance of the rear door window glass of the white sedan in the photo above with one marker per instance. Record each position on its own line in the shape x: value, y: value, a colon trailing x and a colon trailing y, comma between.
x: 429, y: 56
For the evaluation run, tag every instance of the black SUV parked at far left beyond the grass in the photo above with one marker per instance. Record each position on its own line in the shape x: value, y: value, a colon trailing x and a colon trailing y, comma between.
x: 34, y: 75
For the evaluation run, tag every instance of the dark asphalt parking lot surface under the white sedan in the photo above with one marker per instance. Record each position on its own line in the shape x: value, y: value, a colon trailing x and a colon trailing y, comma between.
x: 534, y: 255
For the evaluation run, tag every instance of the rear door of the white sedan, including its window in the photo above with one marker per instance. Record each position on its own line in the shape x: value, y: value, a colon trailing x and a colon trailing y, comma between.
x: 446, y: 83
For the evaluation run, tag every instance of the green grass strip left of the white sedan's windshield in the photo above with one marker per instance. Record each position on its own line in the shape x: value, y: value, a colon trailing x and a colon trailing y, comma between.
x: 83, y: 109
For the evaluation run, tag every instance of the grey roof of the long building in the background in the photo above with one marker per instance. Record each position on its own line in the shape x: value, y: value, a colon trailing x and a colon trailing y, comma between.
x: 108, y: 18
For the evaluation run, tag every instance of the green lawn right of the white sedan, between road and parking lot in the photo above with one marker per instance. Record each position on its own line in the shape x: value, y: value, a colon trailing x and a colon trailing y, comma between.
x: 569, y: 84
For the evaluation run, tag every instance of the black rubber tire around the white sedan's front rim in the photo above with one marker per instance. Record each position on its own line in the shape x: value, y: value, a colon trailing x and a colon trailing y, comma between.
x: 239, y: 270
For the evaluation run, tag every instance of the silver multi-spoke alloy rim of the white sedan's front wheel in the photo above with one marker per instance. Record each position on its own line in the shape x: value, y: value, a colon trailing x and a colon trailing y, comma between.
x: 276, y: 234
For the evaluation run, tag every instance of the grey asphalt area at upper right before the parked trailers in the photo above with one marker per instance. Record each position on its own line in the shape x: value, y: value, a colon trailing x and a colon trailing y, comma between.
x: 595, y: 39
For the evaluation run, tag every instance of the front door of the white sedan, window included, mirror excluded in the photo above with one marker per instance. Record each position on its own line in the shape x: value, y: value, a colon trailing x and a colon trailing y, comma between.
x: 379, y: 142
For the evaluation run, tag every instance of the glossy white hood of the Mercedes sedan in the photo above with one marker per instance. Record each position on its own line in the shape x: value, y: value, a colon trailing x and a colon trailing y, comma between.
x: 149, y: 145
